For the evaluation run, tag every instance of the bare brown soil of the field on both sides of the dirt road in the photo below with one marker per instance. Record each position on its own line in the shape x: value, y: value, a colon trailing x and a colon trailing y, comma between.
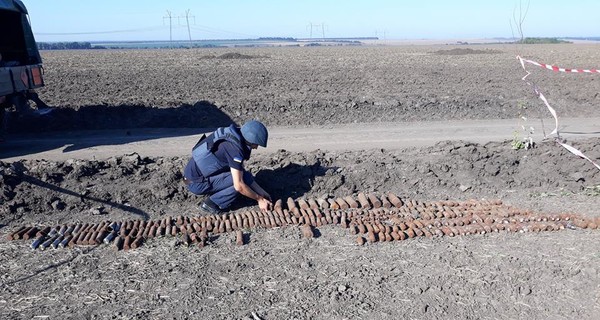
x: 278, y: 274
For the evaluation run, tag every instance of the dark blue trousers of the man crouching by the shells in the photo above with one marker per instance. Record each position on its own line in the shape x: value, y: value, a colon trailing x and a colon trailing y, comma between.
x: 220, y: 188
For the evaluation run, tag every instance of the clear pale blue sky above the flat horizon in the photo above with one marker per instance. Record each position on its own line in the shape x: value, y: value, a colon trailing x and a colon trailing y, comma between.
x: 131, y: 20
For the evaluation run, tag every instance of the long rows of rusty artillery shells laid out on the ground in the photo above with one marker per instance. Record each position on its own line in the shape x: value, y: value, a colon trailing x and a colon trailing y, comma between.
x: 379, y: 218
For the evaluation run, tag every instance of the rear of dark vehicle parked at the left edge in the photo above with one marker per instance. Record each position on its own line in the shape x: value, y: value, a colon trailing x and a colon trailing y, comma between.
x: 20, y: 63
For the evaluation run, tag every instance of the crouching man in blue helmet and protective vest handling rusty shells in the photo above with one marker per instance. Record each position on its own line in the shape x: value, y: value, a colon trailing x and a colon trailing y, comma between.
x: 216, y: 167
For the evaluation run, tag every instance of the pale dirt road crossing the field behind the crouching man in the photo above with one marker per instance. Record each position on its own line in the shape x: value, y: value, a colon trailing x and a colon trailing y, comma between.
x: 101, y: 144
